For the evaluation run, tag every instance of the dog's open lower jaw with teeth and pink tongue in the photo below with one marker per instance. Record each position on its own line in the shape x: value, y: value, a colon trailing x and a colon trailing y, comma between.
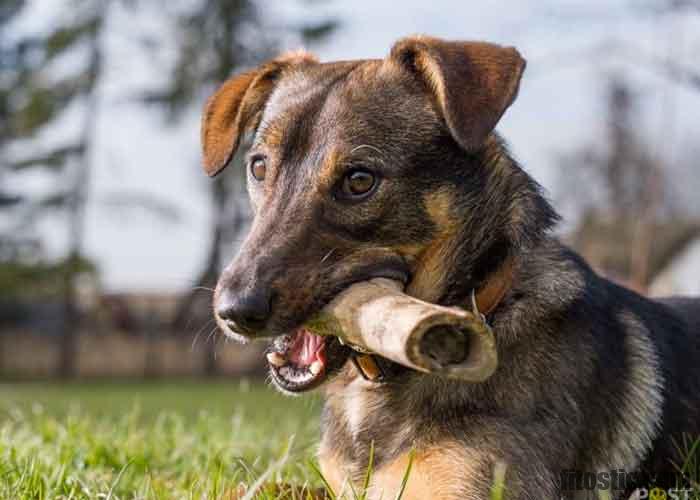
x: 302, y: 361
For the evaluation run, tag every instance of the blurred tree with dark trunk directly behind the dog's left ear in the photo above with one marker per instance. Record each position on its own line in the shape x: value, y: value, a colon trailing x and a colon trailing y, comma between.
x: 216, y: 38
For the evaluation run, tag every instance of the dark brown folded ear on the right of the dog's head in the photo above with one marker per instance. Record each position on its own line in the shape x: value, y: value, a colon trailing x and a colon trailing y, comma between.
x: 473, y: 82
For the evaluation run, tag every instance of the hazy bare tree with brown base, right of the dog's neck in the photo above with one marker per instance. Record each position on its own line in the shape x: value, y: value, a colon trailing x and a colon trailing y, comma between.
x: 634, y: 231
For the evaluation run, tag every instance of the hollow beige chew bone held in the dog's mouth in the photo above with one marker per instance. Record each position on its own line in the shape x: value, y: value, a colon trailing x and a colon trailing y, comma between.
x: 377, y: 317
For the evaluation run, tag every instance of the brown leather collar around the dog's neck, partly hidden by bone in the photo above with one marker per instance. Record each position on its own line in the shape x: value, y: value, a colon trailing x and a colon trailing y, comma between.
x: 375, y: 368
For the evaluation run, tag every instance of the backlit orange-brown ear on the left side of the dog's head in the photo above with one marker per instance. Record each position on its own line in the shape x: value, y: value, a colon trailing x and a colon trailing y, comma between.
x: 237, y: 106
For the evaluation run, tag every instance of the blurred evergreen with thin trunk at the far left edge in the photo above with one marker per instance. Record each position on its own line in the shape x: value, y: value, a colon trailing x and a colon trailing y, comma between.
x: 32, y: 98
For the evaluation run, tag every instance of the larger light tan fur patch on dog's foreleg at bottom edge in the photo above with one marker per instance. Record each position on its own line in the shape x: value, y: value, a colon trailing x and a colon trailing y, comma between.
x: 437, y: 472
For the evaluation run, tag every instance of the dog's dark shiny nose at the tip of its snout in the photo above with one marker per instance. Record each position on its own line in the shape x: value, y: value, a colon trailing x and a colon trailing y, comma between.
x: 246, y: 313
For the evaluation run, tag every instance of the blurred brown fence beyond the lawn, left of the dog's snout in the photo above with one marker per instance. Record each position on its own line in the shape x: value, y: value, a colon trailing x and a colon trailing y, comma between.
x: 117, y: 335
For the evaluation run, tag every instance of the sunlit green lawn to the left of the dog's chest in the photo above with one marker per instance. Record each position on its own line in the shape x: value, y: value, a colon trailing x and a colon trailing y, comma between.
x: 180, y: 439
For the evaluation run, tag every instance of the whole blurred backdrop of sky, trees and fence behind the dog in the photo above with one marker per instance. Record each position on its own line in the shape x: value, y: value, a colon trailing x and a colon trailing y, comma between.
x: 111, y: 236
